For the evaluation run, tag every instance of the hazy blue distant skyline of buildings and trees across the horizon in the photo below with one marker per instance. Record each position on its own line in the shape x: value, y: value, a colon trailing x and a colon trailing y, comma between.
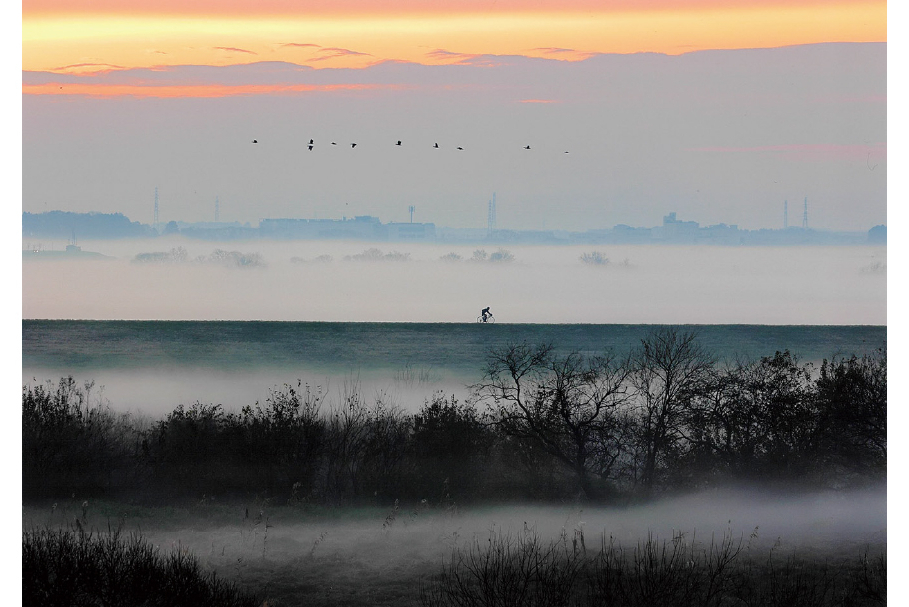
x: 94, y: 226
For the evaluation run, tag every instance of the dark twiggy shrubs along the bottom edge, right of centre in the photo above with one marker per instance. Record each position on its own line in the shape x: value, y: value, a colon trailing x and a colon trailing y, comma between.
x: 523, y: 570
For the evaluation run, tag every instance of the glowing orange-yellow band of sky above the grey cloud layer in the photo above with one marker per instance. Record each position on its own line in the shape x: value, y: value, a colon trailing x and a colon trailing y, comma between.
x: 73, y: 36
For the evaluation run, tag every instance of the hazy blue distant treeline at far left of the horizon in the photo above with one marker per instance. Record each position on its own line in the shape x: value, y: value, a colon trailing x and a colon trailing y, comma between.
x: 63, y: 224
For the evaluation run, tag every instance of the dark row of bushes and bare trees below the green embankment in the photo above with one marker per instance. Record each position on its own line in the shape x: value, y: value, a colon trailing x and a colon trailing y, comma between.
x: 538, y: 426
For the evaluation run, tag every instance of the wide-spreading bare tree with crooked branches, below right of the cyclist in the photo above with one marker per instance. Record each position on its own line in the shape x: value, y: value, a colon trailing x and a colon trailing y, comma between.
x: 569, y: 404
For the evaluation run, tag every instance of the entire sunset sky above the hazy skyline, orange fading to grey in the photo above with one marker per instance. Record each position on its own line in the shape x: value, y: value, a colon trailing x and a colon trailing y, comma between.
x: 722, y: 111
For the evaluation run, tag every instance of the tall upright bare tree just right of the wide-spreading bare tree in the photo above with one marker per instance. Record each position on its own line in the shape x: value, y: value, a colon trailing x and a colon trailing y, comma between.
x: 670, y: 370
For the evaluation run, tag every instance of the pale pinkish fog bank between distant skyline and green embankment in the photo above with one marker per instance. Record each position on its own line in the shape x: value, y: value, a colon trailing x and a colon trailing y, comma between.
x: 402, y: 282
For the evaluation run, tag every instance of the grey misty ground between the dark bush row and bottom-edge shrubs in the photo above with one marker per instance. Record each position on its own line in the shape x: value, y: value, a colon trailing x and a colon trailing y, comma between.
x: 349, y: 558
